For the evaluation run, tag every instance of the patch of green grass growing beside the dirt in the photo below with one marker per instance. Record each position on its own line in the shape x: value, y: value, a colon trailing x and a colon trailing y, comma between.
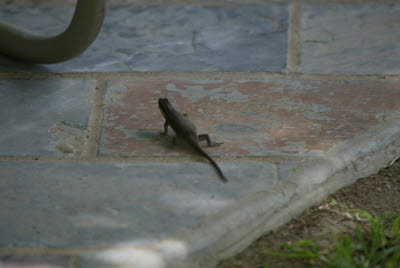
x: 375, y: 242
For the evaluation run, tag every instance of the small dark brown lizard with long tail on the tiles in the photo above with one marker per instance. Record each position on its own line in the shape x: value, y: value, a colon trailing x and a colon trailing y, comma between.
x: 186, y: 130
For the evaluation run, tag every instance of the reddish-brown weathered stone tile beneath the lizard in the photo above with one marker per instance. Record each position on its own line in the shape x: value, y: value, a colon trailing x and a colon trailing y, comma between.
x: 271, y: 117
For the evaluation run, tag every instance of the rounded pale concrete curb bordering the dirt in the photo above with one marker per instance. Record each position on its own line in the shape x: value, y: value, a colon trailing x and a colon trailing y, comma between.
x: 231, y: 230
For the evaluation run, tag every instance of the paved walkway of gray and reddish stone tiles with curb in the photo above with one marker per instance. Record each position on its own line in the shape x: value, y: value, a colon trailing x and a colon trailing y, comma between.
x: 305, y: 97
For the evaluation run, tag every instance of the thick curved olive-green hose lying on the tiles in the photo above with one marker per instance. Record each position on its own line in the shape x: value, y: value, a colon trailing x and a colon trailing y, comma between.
x: 81, y: 32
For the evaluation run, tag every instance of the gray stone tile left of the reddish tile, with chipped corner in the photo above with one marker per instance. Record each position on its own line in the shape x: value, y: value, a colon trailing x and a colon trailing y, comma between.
x: 44, y: 117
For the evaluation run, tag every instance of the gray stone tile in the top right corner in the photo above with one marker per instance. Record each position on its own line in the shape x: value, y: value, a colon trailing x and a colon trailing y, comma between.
x: 351, y: 39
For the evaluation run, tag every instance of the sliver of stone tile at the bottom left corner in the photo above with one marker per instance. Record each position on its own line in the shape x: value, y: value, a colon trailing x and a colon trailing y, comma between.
x: 44, y: 261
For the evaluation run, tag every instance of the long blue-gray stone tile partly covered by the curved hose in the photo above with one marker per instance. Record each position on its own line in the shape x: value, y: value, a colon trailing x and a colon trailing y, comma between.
x: 168, y: 38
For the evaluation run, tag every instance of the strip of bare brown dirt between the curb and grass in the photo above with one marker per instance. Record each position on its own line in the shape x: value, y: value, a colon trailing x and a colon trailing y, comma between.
x: 377, y: 194
